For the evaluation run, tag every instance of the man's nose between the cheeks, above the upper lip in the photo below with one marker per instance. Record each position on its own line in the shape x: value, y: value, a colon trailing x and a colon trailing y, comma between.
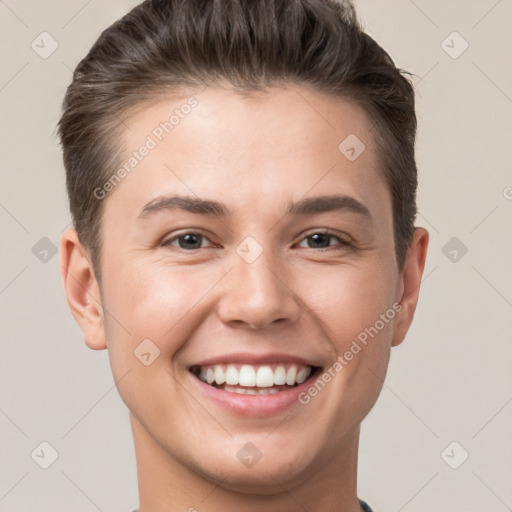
x: 257, y: 295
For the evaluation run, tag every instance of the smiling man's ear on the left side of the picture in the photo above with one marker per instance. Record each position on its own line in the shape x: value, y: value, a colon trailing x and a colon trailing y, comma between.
x: 82, y: 289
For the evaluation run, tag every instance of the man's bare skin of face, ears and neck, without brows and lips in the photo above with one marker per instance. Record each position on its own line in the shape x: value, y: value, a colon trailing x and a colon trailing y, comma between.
x: 256, y: 154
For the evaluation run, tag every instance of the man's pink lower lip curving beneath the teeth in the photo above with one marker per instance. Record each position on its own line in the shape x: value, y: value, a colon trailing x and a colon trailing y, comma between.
x: 254, y: 405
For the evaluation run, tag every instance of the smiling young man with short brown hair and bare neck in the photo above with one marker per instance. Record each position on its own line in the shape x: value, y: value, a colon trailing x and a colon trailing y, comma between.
x: 242, y: 184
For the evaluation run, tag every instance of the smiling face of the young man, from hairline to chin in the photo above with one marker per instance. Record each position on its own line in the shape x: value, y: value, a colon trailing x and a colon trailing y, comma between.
x: 286, y: 276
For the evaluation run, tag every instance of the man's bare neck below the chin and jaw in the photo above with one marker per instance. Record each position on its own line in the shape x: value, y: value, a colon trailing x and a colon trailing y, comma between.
x: 172, y: 483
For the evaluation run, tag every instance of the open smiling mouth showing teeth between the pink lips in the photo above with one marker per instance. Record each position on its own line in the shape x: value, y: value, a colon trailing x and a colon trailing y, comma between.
x: 250, y: 379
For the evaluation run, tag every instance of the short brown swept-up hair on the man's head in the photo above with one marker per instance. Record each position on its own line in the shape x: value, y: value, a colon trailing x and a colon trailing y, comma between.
x: 169, y: 45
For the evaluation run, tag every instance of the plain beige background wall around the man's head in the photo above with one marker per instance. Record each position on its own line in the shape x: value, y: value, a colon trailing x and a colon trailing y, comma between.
x: 451, y: 379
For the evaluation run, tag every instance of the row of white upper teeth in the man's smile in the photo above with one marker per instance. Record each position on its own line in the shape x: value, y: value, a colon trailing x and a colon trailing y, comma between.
x: 259, y: 376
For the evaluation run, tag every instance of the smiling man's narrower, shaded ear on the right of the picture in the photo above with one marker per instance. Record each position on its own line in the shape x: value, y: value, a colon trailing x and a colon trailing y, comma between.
x: 410, y: 281
